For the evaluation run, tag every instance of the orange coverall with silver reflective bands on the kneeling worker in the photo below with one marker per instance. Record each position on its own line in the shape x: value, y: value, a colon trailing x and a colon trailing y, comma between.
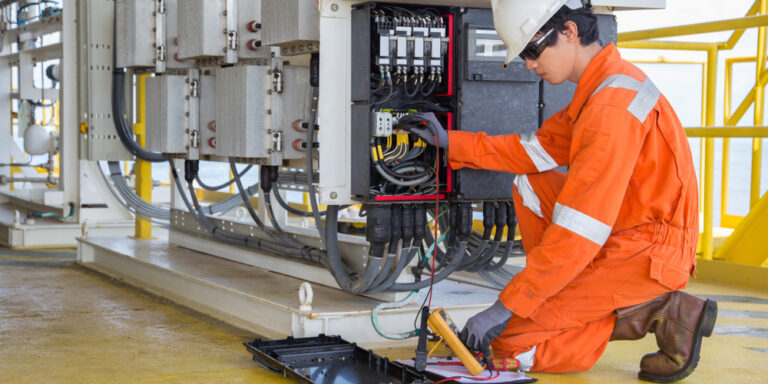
x: 619, y: 229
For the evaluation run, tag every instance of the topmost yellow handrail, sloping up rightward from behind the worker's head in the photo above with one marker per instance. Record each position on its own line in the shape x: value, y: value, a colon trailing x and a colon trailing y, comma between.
x: 695, y: 29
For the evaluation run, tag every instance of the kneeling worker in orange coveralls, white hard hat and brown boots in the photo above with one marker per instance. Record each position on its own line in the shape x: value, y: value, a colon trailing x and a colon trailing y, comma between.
x: 609, y: 244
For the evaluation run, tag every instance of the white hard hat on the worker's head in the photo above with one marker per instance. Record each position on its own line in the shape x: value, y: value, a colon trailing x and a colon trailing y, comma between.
x: 516, y: 21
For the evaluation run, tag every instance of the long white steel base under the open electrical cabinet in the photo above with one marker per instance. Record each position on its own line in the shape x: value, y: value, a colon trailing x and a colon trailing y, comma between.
x: 262, y: 301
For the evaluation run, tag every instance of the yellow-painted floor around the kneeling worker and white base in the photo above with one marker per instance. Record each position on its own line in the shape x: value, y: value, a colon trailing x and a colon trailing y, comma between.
x: 60, y: 323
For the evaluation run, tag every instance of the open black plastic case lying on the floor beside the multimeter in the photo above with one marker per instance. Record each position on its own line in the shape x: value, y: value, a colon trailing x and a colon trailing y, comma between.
x: 330, y: 359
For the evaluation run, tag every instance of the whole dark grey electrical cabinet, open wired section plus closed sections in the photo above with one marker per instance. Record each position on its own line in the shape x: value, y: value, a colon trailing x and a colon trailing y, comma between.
x: 448, y: 61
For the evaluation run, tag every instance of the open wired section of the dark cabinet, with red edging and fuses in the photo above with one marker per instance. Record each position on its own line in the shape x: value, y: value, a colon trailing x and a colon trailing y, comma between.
x: 402, y: 62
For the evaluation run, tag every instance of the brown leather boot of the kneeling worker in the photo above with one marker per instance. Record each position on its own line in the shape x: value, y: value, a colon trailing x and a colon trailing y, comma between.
x: 679, y: 321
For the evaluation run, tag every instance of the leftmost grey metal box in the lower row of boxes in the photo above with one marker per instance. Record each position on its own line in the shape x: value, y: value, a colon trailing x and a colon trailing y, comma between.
x: 166, y: 105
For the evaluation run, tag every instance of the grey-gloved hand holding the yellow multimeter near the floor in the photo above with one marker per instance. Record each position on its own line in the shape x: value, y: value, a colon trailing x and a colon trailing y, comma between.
x: 485, y: 327
